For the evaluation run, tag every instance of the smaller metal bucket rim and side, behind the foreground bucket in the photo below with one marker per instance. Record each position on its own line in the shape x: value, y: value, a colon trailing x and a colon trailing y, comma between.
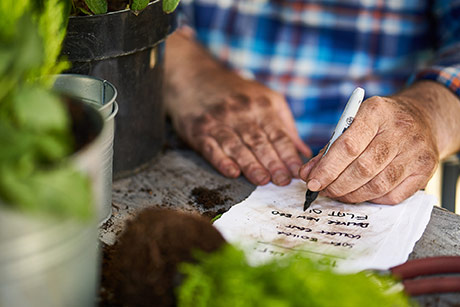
x: 100, y: 94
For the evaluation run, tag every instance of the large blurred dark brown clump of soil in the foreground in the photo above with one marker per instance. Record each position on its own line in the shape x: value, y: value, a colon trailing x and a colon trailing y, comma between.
x: 141, y: 268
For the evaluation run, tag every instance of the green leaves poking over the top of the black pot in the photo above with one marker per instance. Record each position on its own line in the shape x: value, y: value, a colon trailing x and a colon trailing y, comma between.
x: 90, y: 7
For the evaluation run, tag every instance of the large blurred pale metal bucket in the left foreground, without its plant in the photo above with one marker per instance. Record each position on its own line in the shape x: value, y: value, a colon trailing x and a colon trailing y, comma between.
x: 51, y: 262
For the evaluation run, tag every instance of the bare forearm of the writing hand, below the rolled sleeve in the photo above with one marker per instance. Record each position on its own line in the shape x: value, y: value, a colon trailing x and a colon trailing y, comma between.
x: 441, y: 108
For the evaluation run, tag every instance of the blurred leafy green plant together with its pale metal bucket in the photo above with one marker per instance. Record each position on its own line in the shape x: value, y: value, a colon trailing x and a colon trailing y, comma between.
x: 50, y: 178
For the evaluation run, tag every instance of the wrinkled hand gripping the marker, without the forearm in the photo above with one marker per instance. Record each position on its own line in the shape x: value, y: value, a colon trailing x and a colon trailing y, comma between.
x: 386, y: 155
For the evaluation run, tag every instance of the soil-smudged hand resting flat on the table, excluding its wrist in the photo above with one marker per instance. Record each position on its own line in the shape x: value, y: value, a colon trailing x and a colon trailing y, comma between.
x: 249, y: 129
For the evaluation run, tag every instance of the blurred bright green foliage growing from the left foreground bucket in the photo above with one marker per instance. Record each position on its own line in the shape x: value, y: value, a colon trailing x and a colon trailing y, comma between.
x: 35, y: 135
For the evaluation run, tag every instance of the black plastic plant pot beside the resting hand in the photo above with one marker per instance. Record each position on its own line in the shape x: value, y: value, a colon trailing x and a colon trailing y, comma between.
x: 127, y: 50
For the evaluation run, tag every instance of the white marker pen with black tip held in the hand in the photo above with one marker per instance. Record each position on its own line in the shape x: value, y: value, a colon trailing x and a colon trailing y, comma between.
x: 345, y: 121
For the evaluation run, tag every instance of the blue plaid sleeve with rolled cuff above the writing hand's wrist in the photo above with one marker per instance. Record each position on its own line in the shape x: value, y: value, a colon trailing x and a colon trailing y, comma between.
x: 445, y: 67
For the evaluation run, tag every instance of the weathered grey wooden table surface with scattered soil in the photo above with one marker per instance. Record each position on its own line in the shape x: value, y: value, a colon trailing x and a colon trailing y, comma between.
x: 169, y: 179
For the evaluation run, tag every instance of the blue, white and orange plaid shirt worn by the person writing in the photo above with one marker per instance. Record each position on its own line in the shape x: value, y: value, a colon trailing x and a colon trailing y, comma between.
x: 316, y: 52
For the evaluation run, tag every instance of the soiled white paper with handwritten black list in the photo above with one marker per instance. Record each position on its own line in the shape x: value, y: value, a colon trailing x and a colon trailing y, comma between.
x: 271, y: 223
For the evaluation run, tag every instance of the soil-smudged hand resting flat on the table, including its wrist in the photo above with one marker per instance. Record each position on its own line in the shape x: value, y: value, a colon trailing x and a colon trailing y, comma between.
x: 240, y: 126
